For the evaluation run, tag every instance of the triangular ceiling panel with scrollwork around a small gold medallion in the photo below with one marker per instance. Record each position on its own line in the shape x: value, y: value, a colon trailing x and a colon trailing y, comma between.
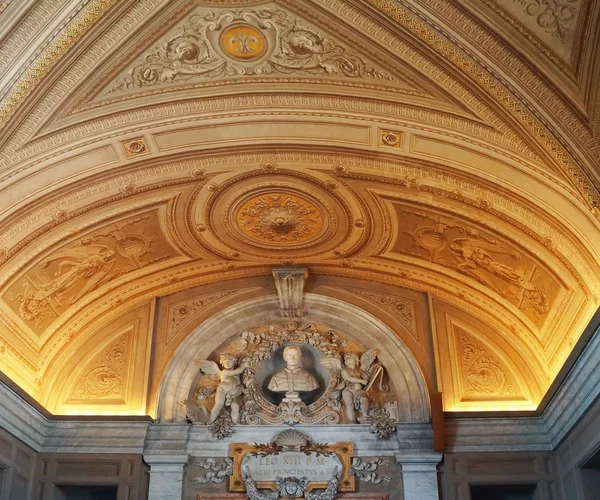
x: 212, y: 44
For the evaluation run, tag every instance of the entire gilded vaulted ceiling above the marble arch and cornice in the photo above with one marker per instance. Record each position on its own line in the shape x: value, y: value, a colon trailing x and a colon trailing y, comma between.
x: 432, y: 161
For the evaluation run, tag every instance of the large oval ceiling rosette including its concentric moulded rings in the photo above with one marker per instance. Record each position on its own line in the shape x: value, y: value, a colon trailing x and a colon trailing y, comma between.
x: 279, y: 215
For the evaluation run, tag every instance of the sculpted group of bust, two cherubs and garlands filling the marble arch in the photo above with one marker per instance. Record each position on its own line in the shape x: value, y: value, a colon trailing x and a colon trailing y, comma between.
x: 290, y: 374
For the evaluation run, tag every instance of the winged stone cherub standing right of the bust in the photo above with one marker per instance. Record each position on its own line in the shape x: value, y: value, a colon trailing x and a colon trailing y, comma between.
x: 358, y: 376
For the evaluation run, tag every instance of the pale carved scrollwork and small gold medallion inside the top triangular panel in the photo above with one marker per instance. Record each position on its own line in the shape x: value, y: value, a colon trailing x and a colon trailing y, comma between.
x: 244, y: 42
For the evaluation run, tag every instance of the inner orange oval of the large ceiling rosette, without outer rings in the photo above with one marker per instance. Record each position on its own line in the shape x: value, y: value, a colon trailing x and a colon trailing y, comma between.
x: 279, y: 218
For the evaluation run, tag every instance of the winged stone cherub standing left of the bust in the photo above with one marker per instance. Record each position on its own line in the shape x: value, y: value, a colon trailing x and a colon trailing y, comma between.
x: 230, y: 389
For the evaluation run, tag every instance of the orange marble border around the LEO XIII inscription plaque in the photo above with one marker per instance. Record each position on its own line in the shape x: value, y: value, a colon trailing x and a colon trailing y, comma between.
x: 344, y: 451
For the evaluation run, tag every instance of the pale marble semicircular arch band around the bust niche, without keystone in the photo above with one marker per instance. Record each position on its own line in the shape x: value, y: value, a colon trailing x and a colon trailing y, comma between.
x: 403, y: 369
